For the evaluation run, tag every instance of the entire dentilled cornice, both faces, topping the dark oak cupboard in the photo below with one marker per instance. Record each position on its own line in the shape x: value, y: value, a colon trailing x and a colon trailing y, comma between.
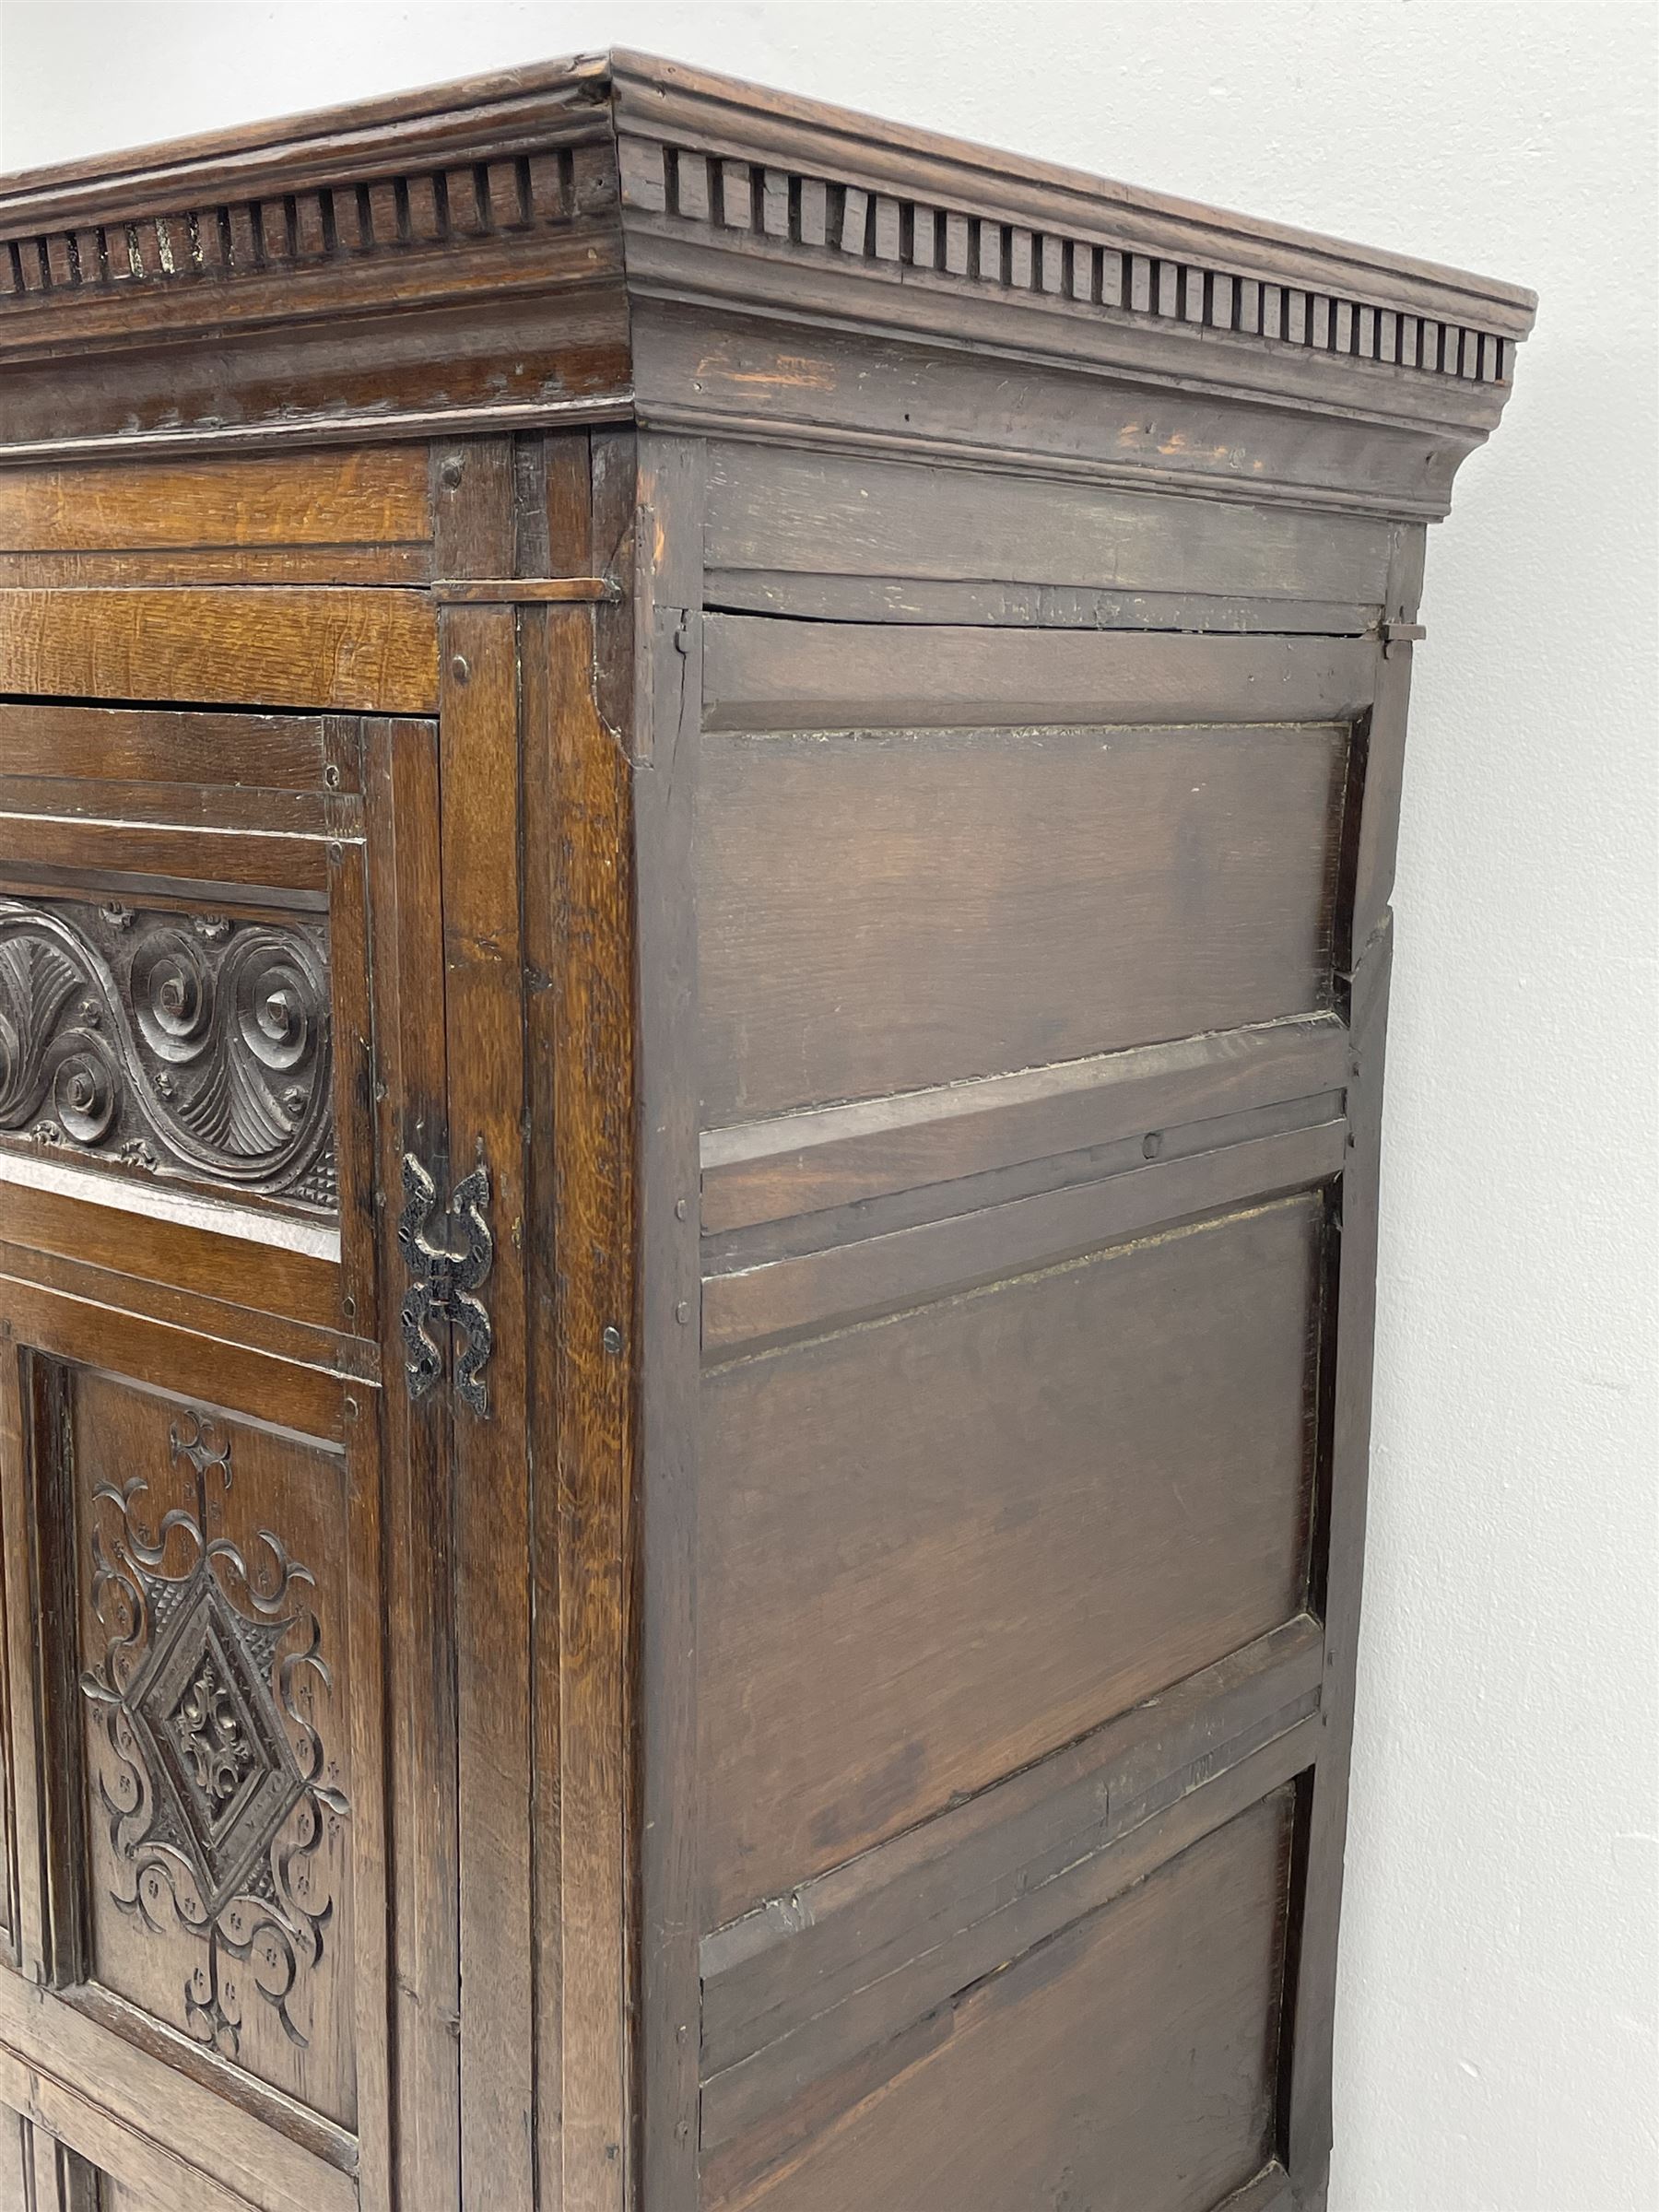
x: 627, y: 238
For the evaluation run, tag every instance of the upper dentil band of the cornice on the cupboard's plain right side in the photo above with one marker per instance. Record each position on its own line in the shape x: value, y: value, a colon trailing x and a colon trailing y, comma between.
x: 797, y: 207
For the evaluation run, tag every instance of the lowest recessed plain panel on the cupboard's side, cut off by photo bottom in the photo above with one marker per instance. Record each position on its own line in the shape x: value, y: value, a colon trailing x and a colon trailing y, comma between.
x: 1127, y: 2065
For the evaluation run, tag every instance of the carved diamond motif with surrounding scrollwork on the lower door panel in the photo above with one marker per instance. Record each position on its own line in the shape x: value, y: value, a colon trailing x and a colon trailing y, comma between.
x: 213, y: 1784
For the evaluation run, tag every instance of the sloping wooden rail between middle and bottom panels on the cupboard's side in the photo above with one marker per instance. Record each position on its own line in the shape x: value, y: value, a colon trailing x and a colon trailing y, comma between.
x: 851, y: 1959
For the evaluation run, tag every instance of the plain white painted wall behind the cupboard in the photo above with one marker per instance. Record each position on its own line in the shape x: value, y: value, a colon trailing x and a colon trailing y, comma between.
x: 1499, y: 2027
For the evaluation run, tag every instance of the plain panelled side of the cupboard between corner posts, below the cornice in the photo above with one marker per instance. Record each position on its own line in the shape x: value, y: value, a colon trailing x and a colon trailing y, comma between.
x: 1001, y: 1468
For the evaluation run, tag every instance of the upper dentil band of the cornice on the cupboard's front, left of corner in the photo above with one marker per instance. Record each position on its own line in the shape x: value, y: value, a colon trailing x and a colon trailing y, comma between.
x: 508, y: 185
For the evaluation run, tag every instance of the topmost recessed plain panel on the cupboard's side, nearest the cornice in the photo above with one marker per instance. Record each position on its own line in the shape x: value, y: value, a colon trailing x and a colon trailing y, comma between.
x: 881, y: 912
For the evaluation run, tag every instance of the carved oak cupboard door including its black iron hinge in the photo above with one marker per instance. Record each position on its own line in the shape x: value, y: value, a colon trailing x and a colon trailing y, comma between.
x: 220, y: 1036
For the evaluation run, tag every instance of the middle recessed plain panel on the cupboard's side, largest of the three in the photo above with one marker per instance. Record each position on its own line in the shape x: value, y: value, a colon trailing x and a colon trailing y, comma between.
x: 943, y: 1545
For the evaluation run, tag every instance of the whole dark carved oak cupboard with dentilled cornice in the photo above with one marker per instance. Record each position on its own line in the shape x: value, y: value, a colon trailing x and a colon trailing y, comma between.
x: 696, y: 831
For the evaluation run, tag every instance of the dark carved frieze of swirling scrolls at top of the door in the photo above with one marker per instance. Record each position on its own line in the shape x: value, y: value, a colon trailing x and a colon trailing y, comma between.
x: 169, y: 1043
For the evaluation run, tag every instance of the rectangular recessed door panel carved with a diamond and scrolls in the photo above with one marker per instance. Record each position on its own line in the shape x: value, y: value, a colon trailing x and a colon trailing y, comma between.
x: 211, y: 1669
